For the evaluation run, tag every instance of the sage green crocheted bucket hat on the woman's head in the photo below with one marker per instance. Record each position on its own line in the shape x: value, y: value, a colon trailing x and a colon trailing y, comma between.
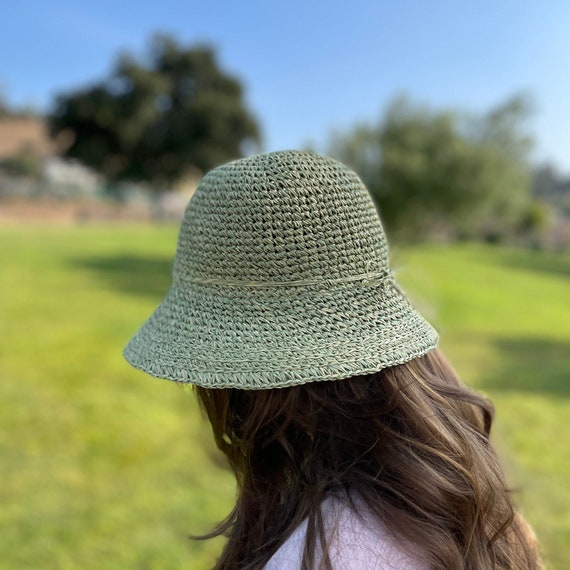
x: 281, y: 277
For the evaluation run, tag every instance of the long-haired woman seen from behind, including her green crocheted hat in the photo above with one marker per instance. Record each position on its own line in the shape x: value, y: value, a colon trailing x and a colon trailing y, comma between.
x: 353, y: 442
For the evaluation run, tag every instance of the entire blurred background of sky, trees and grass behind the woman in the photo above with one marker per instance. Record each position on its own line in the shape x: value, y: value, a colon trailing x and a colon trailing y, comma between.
x: 456, y: 116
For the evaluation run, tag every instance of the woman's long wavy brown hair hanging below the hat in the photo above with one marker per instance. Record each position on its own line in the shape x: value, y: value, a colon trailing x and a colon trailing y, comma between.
x: 411, y: 440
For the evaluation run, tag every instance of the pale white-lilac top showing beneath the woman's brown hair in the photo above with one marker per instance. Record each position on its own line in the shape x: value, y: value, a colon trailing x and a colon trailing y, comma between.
x: 357, y: 542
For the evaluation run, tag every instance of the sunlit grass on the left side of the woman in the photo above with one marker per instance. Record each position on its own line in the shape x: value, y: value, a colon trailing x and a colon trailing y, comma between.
x: 102, y: 466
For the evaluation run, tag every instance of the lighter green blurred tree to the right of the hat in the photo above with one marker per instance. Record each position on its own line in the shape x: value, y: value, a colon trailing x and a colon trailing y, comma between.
x: 440, y: 172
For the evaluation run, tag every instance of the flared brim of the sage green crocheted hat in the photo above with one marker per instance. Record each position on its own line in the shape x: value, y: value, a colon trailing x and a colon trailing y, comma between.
x: 261, y: 338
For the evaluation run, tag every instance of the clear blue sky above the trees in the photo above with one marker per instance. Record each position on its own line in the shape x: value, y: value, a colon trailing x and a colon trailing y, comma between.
x: 311, y: 67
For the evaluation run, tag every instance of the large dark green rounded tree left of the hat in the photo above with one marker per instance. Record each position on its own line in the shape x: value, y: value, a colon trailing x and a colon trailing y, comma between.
x: 155, y: 118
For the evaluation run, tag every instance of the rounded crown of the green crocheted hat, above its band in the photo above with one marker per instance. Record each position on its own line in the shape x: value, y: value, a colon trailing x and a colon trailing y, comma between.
x: 280, y: 217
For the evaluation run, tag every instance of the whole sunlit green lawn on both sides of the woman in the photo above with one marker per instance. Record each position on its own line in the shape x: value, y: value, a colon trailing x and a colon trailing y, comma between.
x: 103, y: 467
